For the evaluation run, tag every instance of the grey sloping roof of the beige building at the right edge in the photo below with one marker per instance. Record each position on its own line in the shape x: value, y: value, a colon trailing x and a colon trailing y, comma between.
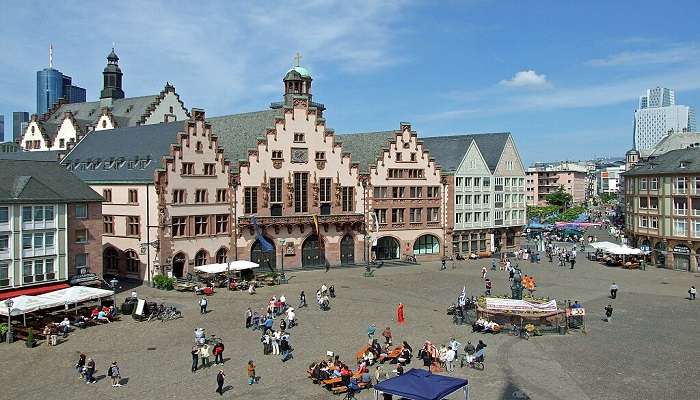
x: 669, y: 163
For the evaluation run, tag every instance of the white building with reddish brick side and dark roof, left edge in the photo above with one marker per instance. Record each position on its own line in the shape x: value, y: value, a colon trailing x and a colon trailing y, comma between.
x: 50, y: 226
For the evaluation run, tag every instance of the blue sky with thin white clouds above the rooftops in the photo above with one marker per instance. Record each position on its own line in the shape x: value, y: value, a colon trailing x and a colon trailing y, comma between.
x: 562, y: 76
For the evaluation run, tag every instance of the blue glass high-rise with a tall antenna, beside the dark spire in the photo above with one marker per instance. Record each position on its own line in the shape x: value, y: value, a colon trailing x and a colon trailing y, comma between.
x: 52, y: 85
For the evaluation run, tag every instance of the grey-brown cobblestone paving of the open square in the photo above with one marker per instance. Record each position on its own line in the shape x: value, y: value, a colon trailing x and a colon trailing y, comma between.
x: 648, y: 351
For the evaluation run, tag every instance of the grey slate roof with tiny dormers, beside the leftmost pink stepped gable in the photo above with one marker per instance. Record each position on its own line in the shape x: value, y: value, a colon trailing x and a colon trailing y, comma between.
x: 129, y: 154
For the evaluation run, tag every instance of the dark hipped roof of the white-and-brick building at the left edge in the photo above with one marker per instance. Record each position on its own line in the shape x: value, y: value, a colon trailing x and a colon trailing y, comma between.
x: 29, y: 181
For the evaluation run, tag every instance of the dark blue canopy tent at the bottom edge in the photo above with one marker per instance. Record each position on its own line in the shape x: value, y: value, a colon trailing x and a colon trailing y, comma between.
x: 418, y: 384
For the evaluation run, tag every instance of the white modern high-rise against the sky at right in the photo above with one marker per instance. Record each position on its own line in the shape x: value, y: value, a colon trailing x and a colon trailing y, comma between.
x: 658, y: 115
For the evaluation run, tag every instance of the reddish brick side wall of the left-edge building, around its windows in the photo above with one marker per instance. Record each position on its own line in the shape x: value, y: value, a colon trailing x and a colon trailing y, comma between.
x: 93, y: 248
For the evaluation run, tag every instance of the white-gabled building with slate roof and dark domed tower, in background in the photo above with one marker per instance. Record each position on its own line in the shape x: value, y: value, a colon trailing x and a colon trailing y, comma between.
x: 64, y: 124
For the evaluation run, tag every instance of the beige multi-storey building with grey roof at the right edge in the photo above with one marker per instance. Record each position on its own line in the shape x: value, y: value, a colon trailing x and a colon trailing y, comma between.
x: 662, y: 208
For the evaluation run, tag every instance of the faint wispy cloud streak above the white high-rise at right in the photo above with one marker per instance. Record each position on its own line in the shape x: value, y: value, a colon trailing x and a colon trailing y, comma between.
x: 673, y: 55
